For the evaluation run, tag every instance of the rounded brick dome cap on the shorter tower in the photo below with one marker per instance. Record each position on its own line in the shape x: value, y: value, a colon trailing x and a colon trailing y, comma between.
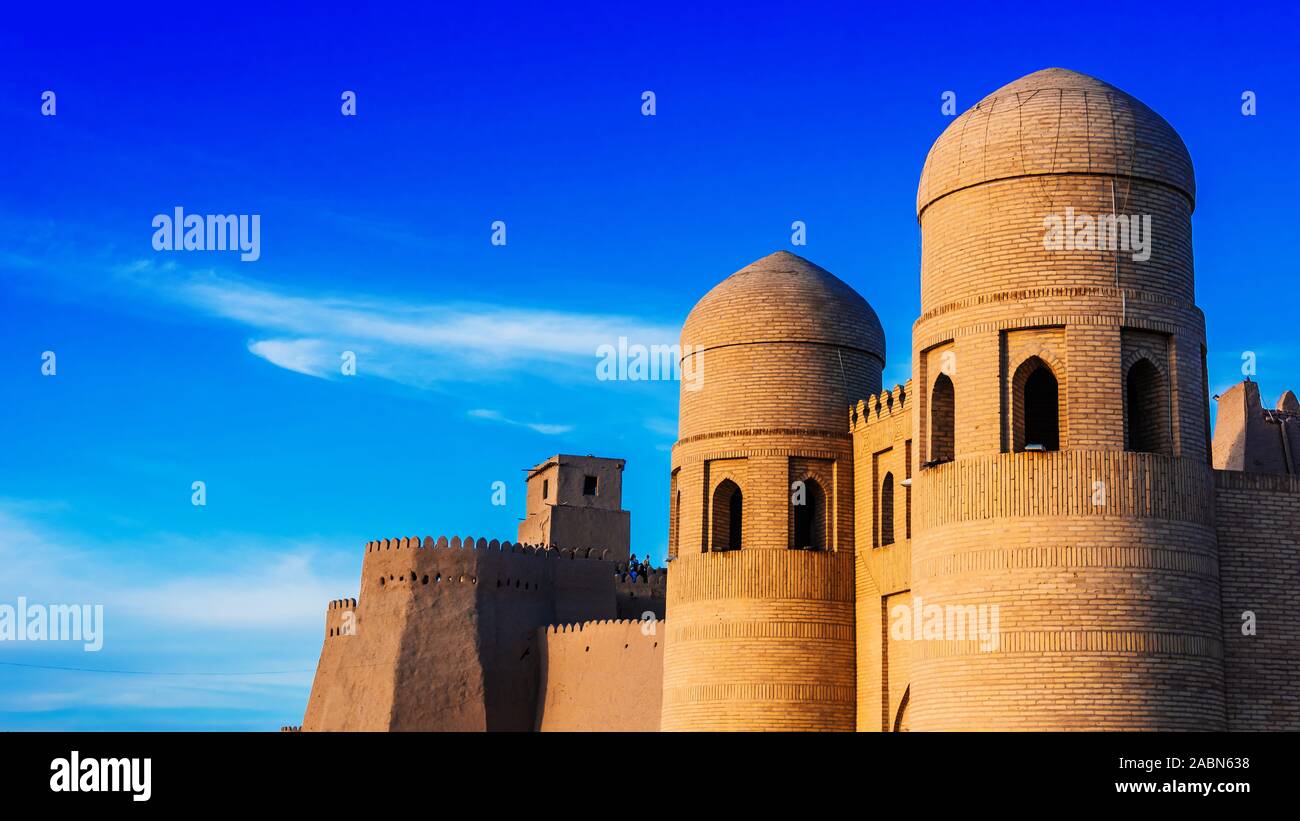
x: 785, y: 298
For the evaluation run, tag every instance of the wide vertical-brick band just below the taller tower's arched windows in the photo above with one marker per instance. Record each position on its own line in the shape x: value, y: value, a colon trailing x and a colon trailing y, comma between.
x: 1063, y: 484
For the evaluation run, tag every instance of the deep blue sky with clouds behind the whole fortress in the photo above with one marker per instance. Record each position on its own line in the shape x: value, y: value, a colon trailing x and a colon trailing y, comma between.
x: 474, y: 360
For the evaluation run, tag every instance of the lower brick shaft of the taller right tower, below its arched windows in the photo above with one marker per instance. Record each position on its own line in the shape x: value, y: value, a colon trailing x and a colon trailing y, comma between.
x: 1108, y: 613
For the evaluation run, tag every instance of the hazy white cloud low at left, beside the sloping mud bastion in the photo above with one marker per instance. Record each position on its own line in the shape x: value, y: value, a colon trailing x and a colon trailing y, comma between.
x: 232, y: 646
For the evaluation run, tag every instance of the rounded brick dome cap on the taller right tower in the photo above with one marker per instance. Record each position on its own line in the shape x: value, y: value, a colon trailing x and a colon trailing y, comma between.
x: 1056, y: 121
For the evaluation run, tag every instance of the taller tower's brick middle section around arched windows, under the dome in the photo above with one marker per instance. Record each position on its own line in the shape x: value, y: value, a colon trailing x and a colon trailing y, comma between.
x: 990, y: 290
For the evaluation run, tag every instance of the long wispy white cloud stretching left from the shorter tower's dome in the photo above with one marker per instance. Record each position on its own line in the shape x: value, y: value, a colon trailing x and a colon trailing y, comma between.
x: 419, y: 344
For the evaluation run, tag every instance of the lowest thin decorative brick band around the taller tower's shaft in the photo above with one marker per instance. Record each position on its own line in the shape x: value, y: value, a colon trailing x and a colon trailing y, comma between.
x: 1037, y: 642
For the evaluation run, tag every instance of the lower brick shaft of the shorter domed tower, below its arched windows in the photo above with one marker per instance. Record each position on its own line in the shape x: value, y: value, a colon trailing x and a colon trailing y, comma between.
x: 760, y: 640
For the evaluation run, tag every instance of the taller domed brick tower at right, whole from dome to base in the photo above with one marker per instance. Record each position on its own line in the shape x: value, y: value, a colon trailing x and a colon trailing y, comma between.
x: 1061, y: 420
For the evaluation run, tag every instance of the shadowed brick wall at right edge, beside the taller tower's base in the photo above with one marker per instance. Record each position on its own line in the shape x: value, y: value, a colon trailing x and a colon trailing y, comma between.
x: 1259, y: 536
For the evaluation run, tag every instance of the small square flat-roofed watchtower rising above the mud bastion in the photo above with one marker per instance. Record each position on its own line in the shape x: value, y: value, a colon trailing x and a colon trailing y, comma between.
x: 577, y: 502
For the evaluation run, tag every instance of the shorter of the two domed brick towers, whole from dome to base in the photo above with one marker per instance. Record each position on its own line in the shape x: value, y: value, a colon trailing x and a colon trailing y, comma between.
x: 761, y: 584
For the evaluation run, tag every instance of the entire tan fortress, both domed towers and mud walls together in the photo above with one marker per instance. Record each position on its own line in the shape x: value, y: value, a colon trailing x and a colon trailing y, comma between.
x: 1048, y: 461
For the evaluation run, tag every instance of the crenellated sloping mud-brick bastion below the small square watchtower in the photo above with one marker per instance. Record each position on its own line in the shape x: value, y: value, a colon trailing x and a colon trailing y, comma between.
x: 447, y: 635
